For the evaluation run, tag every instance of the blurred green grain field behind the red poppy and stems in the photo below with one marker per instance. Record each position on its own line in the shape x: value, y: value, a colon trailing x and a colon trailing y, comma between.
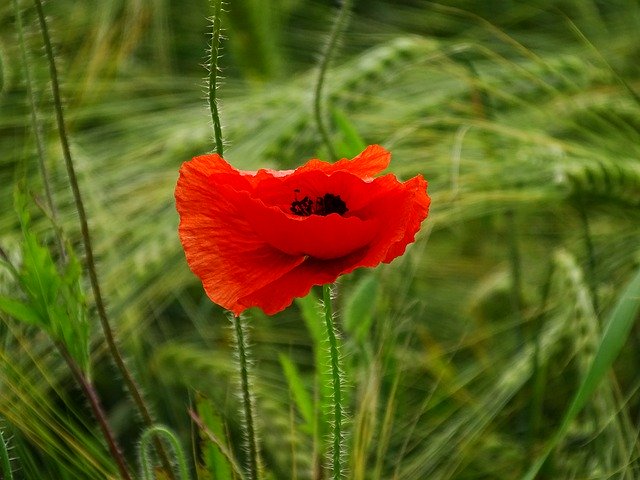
x: 462, y: 356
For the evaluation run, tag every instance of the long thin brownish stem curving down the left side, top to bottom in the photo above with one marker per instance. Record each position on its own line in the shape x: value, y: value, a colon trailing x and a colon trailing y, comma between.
x: 86, y: 238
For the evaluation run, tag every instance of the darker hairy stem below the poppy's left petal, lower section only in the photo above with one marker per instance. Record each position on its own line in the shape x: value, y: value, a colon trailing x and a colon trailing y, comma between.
x: 249, y: 433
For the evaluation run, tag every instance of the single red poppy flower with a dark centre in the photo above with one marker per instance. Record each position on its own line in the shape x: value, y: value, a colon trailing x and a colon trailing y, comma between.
x: 262, y: 238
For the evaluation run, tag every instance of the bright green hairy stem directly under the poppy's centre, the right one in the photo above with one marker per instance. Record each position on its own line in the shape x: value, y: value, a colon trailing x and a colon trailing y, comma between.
x: 336, y: 376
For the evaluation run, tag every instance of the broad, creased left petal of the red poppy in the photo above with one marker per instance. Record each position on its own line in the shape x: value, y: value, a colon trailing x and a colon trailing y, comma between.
x: 220, y: 244
